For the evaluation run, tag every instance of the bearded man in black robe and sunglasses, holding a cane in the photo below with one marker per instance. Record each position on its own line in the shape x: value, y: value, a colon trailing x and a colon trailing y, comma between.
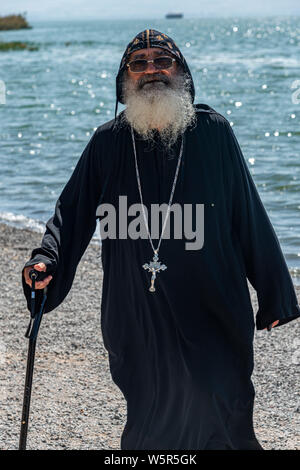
x: 179, y: 328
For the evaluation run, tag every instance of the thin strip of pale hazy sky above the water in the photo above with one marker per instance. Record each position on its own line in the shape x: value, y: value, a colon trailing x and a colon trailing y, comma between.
x: 118, y: 9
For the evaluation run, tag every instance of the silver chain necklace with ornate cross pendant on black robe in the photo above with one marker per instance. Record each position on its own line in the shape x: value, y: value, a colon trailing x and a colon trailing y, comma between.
x: 155, y: 266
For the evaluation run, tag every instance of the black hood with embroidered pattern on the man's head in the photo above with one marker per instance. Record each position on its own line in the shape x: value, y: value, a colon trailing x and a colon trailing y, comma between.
x: 143, y: 40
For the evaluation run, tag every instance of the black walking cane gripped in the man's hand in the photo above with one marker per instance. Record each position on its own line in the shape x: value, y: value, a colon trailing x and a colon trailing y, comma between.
x: 31, y: 333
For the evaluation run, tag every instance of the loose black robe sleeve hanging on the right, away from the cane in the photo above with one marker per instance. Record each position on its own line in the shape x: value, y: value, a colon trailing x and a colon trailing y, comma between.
x: 264, y: 262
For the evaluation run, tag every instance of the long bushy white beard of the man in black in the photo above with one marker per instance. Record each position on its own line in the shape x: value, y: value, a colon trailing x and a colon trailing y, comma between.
x: 166, y: 108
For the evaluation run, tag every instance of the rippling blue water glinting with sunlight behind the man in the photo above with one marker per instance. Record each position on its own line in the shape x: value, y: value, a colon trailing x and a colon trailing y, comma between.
x: 245, y: 68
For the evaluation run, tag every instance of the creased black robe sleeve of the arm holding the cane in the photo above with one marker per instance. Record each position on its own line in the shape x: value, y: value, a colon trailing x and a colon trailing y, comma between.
x: 70, y: 229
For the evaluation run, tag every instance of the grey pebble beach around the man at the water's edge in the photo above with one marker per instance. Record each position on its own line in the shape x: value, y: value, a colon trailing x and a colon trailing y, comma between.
x: 75, y: 404
